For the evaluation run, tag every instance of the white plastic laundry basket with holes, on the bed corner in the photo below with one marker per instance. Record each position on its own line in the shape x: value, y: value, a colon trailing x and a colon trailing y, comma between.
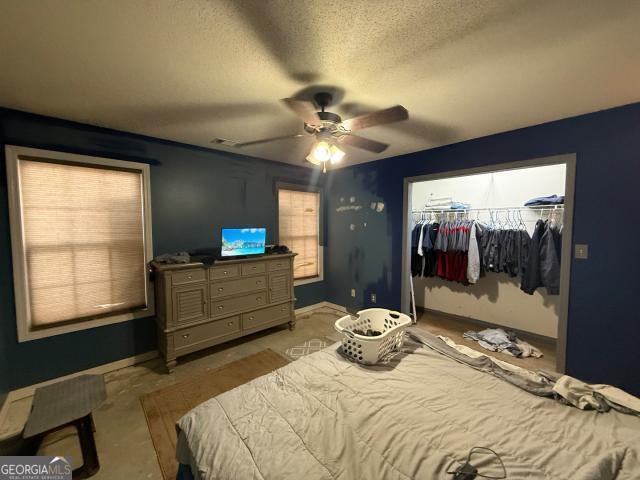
x: 369, y: 350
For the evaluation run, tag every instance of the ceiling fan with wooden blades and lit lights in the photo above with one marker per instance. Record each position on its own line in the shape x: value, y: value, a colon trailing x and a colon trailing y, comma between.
x: 330, y: 130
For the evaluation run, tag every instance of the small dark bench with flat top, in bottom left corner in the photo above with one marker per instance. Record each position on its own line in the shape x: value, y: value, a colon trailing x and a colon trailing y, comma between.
x: 70, y: 402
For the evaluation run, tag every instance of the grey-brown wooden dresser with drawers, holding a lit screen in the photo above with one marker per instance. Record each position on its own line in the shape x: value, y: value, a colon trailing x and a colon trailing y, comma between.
x: 199, y: 306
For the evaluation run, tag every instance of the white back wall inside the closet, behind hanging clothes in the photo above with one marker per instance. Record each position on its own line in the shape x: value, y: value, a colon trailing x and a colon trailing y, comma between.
x: 496, y: 298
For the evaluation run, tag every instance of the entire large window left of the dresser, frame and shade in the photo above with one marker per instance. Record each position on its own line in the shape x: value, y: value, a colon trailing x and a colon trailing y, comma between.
x: 81, y: 240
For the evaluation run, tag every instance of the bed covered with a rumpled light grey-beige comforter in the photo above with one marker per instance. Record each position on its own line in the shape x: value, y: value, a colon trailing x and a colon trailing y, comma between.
x: 324, y: 417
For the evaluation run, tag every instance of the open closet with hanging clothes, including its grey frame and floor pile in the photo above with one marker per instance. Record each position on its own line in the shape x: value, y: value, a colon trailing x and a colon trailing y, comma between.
x: 487, y: 251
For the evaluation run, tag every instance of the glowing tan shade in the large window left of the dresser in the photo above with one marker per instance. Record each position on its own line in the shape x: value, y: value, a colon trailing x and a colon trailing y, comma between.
x: 83, y: 230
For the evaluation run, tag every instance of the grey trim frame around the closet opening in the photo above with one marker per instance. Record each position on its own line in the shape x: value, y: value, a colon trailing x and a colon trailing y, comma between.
x: 569, y: 160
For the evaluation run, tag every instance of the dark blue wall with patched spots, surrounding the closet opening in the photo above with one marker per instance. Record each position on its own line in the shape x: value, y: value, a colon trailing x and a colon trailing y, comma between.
x: 603, y: 321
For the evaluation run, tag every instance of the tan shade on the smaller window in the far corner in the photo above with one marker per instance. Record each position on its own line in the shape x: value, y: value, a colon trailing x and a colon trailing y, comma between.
x: 299, y: 229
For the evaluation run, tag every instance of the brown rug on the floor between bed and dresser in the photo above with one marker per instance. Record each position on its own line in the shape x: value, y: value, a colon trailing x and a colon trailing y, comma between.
x: 164, y: 407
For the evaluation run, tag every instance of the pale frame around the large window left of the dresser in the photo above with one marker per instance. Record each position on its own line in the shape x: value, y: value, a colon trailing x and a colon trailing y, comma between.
x: 20, y: 276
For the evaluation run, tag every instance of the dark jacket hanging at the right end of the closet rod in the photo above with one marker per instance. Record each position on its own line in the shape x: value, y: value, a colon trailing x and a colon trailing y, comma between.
x: 543, y: 267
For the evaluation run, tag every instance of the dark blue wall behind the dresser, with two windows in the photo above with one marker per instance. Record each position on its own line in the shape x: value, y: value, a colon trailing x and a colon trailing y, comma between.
x: 194, y: 192
